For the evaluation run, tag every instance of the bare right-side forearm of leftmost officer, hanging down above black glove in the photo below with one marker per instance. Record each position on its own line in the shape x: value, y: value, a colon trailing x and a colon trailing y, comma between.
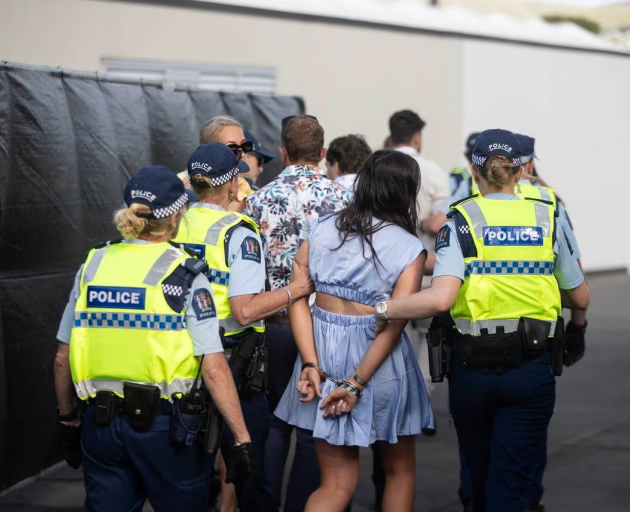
x: 220, y: 383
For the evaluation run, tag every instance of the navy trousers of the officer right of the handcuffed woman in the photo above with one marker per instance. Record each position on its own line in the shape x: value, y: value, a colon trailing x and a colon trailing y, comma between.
x: 501, y: 423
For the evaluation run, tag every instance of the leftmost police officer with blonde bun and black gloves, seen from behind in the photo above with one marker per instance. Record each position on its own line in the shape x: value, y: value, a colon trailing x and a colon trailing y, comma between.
x: 138, y: 335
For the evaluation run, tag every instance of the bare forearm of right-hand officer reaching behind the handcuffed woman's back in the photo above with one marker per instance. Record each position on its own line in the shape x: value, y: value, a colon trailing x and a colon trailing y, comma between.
x: 427, y: 303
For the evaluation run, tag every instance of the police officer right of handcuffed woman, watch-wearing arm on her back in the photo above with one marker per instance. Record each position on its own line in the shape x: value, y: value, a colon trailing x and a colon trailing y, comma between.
x: 501, y: 262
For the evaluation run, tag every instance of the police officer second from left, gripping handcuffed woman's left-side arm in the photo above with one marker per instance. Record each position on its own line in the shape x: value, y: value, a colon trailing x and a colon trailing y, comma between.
x: 230, y: 244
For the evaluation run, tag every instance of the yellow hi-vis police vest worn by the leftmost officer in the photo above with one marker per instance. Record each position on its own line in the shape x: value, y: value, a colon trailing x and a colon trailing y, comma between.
x: 124, y: 329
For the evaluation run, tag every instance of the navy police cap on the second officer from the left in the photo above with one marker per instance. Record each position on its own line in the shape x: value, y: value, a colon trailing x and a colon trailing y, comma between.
x: 217, y: 162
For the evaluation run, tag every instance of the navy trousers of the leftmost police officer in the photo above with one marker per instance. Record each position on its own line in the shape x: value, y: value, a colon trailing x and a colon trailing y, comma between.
x: 123, y: 468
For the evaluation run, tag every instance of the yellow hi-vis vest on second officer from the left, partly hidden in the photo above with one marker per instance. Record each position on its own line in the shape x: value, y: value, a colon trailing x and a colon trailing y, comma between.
x: 206, y: 231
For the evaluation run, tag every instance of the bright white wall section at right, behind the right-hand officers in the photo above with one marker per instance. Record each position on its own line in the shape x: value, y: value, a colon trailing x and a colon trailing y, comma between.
x: 577, y: 106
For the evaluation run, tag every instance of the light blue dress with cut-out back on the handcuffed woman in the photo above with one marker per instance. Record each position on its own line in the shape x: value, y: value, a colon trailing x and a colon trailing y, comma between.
x: 395, y: 401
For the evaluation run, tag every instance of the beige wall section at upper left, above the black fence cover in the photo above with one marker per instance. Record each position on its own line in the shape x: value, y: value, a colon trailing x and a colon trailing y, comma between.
x: 352, y: 78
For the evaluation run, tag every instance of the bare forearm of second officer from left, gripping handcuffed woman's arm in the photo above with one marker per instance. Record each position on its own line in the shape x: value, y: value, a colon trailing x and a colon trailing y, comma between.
x: 249, y: 308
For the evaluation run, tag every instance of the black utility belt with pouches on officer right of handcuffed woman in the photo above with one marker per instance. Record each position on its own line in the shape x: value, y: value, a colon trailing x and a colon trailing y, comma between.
x: 495, y: 351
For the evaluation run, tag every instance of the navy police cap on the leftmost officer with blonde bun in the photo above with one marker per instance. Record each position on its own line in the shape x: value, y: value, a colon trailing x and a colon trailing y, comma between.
x: 160, y: 189
